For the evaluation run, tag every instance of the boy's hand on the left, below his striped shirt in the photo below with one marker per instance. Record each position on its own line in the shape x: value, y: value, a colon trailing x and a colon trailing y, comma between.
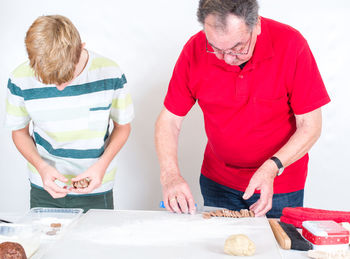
x: 48, y: 175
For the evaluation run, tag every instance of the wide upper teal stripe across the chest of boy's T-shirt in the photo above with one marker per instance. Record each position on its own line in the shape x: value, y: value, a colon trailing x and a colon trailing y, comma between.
x: 74, y: 90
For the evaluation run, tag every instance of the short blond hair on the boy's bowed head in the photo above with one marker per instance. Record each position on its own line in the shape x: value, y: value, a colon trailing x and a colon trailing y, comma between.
x: 54, y: 47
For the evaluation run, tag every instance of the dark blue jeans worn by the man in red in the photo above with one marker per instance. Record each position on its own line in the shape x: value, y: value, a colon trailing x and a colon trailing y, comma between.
x: 217, y: 195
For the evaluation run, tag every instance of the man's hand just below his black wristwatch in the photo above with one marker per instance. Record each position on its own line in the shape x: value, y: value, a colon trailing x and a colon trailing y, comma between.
x: 262, y: 180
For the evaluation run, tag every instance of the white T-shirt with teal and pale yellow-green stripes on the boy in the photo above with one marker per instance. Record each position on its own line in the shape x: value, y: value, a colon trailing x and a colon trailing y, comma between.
x: 70, y: 127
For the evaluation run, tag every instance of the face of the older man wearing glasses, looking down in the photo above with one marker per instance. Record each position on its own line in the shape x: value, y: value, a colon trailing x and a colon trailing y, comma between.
x: 235, y: 38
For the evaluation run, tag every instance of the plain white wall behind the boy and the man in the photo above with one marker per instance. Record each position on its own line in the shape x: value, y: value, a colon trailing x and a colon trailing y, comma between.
x: 145, y: 38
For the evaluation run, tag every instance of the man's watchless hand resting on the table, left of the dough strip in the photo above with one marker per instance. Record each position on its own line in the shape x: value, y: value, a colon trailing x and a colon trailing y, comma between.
x: 177, y: 195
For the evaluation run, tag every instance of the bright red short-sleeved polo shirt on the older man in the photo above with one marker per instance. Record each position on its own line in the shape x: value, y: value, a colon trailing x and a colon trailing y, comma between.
x: 249, y: 113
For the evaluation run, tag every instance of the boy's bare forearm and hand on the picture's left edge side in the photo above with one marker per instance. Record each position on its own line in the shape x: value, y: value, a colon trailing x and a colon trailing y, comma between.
x: 26, y: 146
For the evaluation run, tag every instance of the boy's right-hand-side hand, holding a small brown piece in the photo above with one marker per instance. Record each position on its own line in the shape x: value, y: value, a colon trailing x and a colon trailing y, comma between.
x: 95, y: 175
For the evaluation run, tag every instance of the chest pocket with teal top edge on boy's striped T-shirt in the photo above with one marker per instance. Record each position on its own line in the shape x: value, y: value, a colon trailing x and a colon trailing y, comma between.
x: 99, y: 114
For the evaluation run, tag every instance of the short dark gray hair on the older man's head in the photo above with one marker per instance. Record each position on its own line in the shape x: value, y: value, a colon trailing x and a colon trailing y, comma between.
x: 244, y: 9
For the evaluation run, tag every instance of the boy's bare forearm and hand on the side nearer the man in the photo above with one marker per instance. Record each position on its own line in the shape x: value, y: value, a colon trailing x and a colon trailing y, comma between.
x: 96, y: 172
